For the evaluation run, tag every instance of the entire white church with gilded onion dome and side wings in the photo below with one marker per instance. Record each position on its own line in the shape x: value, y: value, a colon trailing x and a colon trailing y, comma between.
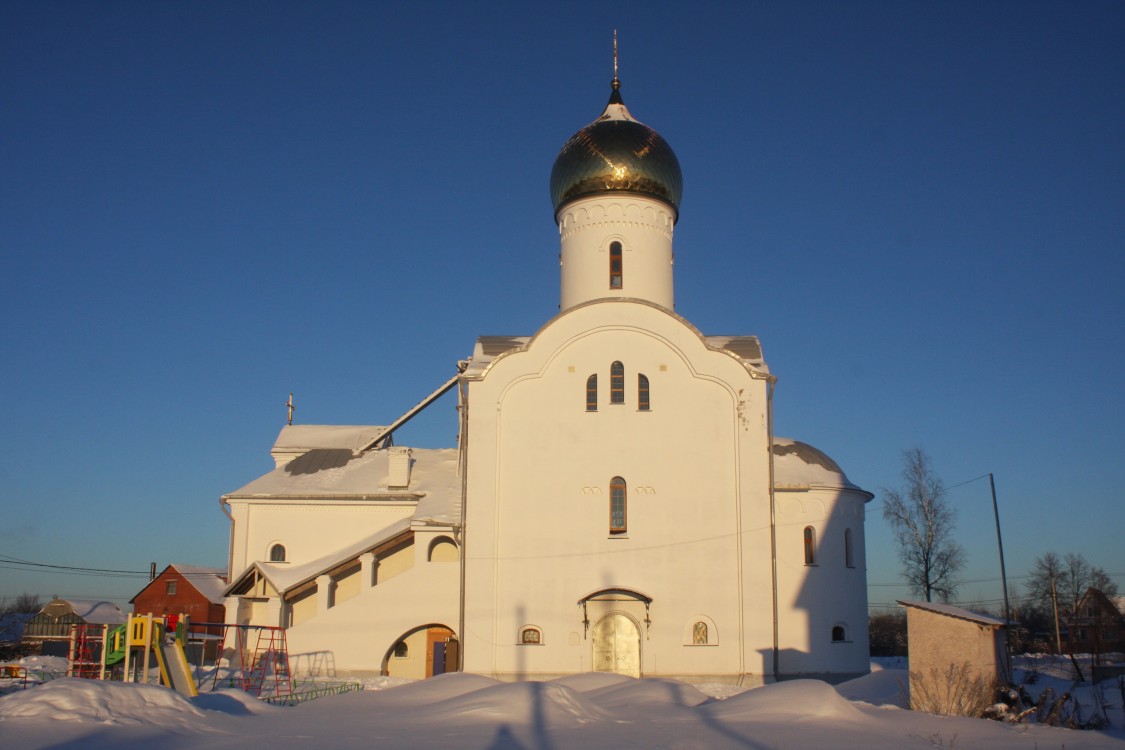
x: 617, y: 501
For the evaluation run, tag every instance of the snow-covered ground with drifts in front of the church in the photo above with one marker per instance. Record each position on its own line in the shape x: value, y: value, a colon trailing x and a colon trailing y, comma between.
x: 584, y: 711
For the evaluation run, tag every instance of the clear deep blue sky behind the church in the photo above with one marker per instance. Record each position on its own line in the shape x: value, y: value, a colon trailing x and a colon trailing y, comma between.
x: 920, y: 209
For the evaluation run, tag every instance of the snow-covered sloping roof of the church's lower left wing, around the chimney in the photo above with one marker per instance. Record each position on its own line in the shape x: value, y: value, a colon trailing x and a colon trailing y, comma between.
x: 434, y: 475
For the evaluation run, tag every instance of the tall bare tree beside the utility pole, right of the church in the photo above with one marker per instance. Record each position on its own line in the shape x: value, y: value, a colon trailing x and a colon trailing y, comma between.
x: 923, y: 526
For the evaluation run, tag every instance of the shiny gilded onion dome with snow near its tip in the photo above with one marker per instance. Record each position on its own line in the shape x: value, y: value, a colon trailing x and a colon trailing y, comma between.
x: 616, y: 153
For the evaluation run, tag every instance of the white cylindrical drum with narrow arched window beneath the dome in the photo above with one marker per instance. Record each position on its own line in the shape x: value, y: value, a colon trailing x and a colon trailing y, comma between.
x: 644, y: 228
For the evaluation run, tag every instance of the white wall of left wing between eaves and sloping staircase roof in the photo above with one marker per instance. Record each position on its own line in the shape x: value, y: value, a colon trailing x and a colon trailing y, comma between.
x: 309, y: 529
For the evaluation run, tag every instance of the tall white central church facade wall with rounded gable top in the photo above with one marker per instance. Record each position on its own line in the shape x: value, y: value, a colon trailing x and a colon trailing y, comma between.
x: 539, y: 468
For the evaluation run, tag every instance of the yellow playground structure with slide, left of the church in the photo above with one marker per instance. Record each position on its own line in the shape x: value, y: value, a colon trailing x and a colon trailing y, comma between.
x: 130, y: 650
